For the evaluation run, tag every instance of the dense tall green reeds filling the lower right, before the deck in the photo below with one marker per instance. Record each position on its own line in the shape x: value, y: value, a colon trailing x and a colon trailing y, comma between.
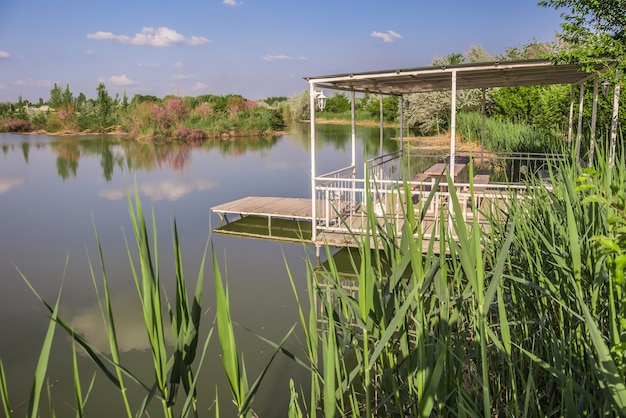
x: 515, y: 319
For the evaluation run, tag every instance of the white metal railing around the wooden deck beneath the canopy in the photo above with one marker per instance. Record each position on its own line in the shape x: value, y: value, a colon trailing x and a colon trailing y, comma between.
x: 341, y: 197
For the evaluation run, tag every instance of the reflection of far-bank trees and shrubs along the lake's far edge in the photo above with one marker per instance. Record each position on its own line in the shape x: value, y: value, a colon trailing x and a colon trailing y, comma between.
x: 128, y: 155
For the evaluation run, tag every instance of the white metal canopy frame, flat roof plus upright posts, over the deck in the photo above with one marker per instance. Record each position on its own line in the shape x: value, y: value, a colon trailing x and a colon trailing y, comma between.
x: 399, y: 82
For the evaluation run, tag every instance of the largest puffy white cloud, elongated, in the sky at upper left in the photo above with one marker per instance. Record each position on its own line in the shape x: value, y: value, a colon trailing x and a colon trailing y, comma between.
x: 158, y: 37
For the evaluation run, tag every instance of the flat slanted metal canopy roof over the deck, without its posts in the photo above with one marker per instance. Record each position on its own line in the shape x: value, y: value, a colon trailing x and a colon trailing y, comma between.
x: 468, y: 76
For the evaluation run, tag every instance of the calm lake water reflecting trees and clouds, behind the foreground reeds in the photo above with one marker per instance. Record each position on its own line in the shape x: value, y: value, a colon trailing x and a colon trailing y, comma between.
x: 55, y: 190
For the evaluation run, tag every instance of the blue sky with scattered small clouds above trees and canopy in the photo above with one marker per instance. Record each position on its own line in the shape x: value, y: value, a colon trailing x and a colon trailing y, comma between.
x: 254, y: 48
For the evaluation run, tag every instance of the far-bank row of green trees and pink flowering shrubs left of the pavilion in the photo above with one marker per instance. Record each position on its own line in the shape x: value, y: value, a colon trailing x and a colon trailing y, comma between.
x: 145, y: 117
